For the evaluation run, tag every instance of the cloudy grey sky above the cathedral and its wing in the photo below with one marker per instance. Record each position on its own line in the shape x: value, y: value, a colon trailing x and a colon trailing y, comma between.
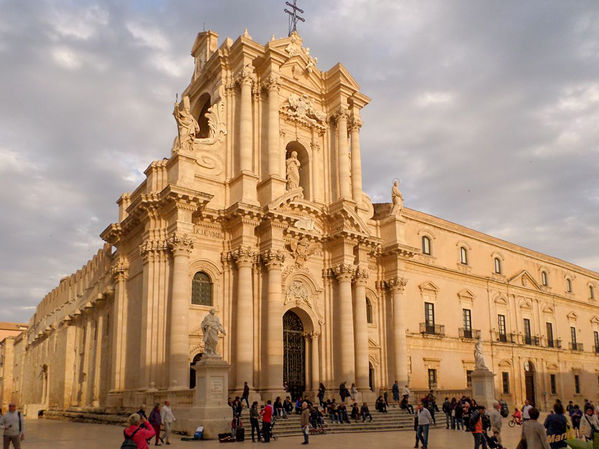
x: 488, y: 112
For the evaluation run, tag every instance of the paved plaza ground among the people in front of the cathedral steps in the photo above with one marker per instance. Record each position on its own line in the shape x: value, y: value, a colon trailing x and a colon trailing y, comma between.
x: 45, y: 434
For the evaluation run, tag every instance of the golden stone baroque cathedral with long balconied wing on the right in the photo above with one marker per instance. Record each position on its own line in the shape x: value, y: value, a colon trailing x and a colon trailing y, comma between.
x: 259, y: 212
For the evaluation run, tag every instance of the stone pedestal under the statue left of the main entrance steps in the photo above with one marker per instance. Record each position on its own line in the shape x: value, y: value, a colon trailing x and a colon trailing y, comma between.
x: 209, y: 407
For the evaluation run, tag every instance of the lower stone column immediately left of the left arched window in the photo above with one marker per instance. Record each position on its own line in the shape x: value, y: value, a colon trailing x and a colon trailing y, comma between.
x: 180, y: 246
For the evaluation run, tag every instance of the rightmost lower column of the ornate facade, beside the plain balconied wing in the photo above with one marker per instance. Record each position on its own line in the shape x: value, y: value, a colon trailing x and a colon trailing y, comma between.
x: 400, y: 345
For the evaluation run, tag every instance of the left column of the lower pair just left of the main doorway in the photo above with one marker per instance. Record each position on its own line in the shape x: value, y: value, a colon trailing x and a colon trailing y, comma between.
x: 244, y: 313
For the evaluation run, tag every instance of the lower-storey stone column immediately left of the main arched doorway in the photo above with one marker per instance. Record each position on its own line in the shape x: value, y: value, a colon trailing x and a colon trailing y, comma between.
x: 273, y: 370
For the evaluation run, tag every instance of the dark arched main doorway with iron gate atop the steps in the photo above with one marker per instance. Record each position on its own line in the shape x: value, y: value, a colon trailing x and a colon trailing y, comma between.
x: 294, y: 358
